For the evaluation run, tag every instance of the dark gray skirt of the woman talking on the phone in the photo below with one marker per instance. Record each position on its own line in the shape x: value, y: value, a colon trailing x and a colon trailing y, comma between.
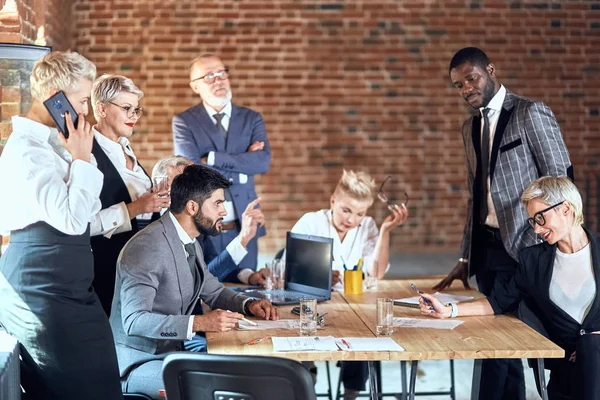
x: 49, y: 305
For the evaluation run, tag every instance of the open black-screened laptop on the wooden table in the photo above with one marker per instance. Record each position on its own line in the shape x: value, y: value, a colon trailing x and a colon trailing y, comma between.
x: 307, y: 271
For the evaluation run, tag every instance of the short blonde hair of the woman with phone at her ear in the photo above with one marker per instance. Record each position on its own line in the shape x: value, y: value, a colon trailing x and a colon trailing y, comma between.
x: 59, y: 71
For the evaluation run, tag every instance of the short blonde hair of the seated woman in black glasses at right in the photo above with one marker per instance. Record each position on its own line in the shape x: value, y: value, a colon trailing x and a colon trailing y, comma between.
x: 552, y: 190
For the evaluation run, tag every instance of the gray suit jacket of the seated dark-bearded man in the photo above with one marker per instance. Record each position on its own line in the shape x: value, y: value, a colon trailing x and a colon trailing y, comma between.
x: 155, y: 295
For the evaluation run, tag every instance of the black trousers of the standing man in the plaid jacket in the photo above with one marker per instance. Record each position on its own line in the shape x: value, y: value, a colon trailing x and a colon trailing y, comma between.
x: 501, y: 379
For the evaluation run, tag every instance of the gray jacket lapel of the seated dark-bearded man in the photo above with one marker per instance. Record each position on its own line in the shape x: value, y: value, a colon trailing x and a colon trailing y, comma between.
x: 182, y: 268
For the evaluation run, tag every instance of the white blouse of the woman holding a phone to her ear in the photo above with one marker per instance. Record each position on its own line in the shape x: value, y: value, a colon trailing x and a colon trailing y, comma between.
x: 41, y: 182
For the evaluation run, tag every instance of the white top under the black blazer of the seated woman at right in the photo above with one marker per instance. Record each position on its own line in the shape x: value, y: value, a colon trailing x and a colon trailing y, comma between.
x: 572, y: 287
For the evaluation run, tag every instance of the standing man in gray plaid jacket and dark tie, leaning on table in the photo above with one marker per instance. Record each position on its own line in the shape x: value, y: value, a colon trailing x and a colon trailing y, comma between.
x: 510, y: 142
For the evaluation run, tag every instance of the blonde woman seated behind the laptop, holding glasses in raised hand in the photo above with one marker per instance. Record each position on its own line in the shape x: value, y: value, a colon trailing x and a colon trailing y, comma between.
x: 355, y: 235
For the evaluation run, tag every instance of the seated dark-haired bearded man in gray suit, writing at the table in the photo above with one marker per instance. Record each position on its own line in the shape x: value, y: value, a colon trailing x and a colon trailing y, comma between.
x: 161, y: 274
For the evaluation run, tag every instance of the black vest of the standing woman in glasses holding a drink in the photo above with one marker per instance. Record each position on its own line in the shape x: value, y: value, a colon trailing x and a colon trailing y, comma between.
x: 106, y: 251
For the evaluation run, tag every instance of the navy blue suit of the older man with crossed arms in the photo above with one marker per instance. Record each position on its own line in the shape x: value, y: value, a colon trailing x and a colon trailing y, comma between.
x: 195, y: 135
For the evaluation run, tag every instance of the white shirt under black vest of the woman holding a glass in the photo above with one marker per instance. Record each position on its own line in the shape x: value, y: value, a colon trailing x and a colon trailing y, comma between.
x: 115, y: 219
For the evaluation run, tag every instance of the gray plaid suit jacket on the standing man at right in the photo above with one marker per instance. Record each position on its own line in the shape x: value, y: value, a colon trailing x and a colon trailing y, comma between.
x: 527, y: 144
